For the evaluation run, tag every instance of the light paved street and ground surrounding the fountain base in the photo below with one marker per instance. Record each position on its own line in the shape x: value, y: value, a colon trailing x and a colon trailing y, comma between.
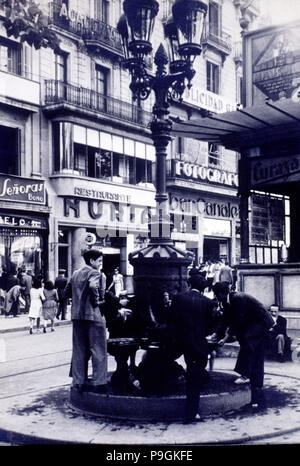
x: 34, y: 391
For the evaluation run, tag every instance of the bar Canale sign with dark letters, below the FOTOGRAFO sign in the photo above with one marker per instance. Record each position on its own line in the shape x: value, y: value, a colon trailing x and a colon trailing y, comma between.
x: 204, y: 207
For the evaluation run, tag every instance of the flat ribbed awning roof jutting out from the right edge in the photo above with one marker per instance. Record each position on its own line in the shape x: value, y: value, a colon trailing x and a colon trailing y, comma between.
x: 248, y: 127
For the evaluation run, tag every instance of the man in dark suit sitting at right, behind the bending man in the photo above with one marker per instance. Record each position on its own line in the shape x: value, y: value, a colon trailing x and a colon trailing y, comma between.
x: 279, y: 342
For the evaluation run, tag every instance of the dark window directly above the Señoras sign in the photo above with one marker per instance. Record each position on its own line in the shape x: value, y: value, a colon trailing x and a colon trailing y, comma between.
x: 9, y: 150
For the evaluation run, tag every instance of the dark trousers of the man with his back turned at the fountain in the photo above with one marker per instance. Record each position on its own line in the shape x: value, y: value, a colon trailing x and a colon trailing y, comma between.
x: 195, y: 376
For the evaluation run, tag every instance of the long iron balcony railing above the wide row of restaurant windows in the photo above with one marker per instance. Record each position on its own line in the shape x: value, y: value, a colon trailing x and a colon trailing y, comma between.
x: 58, y: 92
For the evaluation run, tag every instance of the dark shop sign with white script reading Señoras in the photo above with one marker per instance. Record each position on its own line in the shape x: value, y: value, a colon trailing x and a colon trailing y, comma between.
x: 14, y: 188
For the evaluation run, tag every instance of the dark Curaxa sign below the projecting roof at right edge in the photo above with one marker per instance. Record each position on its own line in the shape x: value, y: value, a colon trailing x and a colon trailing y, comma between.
x: 273, y: 170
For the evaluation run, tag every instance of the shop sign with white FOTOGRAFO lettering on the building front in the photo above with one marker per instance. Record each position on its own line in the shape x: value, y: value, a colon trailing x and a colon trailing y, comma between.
x: 199, y: 172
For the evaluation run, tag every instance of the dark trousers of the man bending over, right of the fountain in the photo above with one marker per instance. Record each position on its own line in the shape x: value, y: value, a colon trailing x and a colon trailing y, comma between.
x: 250, y: 364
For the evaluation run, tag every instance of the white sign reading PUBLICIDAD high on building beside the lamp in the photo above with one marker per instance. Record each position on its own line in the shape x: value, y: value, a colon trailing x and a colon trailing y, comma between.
x: 208, y: 100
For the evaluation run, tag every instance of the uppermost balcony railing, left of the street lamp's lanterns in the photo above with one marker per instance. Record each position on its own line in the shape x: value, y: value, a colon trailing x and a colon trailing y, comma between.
x: 89, y: 29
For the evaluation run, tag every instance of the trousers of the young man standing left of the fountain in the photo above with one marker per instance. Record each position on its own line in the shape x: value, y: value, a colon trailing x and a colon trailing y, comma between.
x: 89, y: 340
